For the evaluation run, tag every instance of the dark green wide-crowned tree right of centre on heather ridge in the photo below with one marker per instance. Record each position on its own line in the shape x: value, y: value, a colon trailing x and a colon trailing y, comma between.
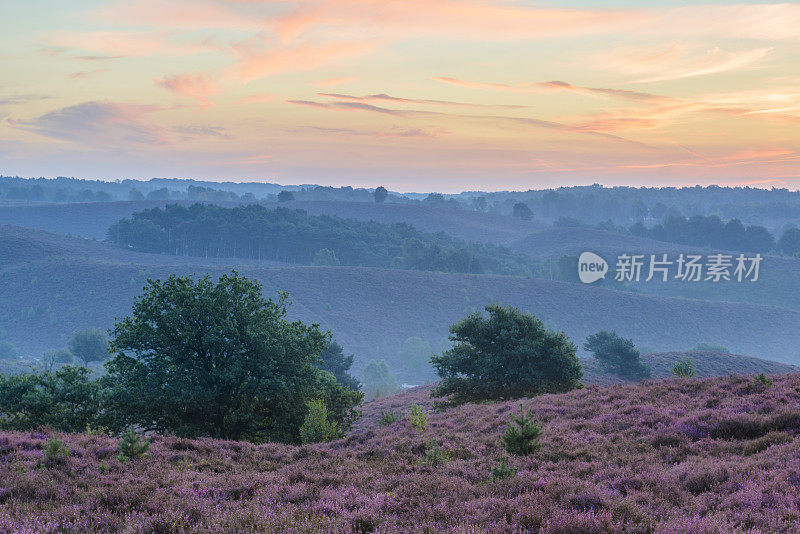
x: 509, y: 355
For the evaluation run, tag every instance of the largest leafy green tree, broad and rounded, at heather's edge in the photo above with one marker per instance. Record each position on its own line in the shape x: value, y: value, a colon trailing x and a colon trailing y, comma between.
x: 199, y: 358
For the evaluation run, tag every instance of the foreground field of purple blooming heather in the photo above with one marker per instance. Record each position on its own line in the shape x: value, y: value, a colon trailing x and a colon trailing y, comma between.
x: 717, y: 455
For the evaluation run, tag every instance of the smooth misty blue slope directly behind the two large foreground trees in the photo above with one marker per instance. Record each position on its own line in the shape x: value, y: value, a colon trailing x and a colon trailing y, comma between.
x: 370, y: 311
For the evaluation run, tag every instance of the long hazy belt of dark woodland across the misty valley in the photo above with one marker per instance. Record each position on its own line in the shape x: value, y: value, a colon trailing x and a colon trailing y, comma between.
x: 294, y: 236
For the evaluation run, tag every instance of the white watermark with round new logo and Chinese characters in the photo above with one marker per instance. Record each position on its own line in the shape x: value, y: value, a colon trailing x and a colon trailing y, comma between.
x: 684, y: 267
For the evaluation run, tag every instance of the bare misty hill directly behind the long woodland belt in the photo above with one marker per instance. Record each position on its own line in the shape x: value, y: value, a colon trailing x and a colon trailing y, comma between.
x: 92, y: 219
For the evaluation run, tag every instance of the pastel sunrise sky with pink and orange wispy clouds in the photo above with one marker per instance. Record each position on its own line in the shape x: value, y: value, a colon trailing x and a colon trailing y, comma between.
x: 416, y: 95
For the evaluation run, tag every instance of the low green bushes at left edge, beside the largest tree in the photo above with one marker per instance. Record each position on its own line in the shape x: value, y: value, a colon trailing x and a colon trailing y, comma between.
x: 66, y: 400
